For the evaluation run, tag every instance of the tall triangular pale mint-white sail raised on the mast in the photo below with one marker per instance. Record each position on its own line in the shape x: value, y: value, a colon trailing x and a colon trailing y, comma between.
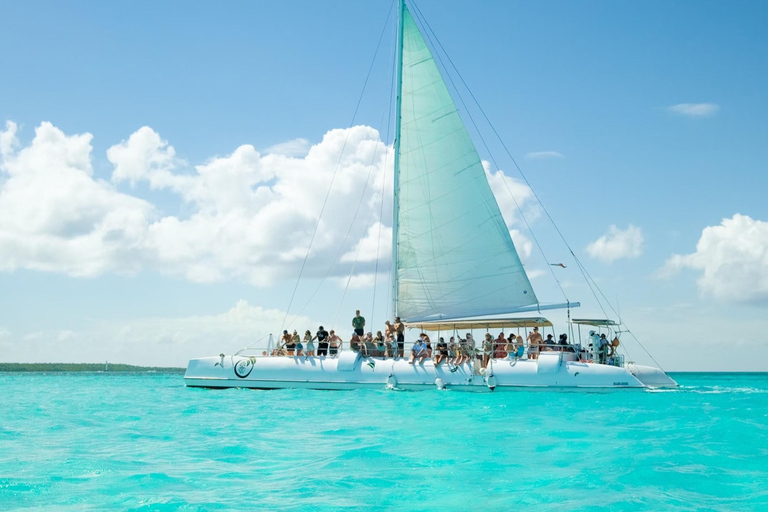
x: 454, y: 256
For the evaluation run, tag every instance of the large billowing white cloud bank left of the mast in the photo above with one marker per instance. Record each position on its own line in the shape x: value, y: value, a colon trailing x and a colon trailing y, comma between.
x: 251, y: 215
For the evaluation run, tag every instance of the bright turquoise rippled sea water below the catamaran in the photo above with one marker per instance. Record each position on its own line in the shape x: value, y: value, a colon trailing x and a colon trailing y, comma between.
x: 144, y: 442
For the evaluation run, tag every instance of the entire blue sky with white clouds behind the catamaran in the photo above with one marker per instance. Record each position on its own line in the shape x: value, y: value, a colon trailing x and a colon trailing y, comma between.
x: 163, y: 167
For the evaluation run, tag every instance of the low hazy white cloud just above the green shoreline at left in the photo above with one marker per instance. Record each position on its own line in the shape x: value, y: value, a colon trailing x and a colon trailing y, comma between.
x: 154, y: 341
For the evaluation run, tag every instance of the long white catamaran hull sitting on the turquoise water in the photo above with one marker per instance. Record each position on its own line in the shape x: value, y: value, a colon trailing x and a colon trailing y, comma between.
x: 351, y: 371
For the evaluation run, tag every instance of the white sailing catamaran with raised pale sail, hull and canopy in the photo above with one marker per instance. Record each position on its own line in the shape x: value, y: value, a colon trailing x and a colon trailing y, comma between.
x: 455, y: 270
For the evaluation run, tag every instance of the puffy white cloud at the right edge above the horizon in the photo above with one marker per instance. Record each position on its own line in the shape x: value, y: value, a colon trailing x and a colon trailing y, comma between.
x: 733, y: 260
